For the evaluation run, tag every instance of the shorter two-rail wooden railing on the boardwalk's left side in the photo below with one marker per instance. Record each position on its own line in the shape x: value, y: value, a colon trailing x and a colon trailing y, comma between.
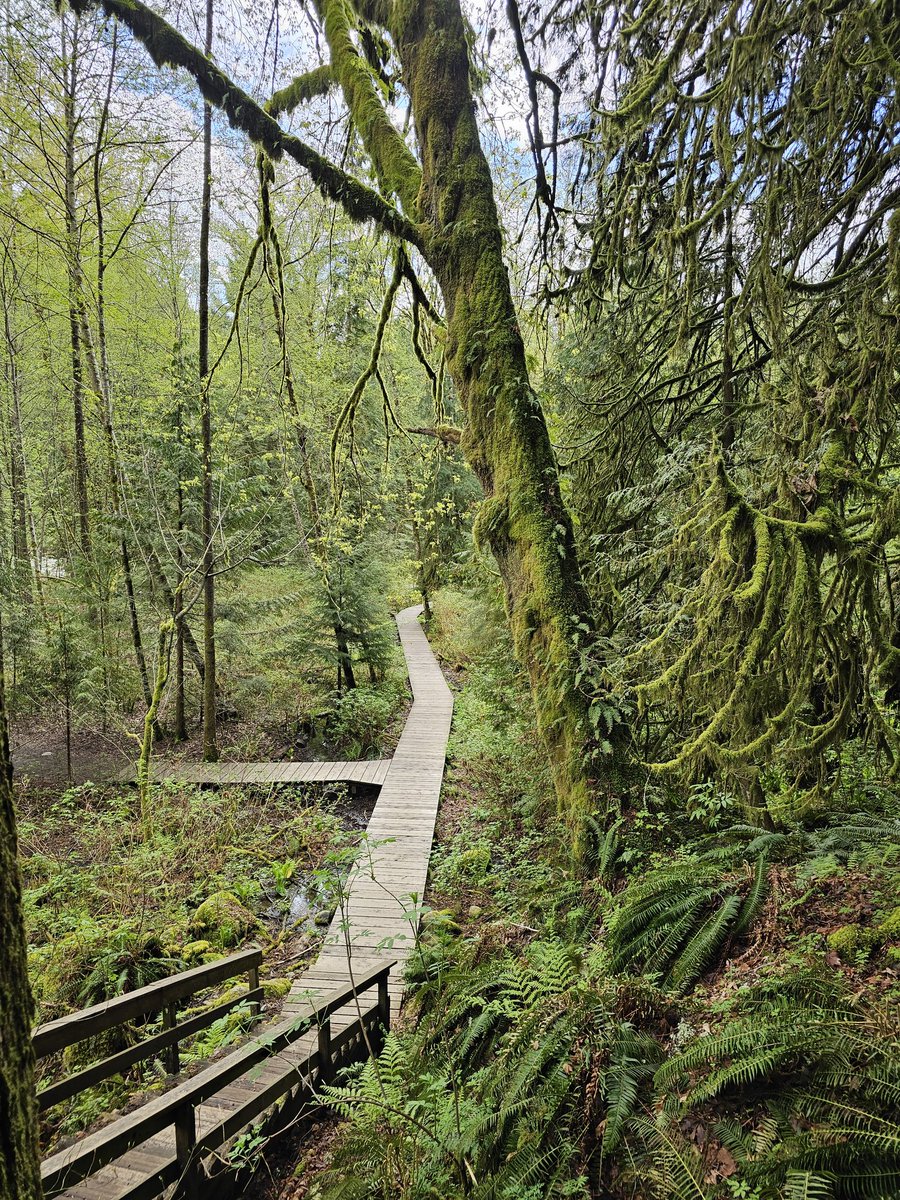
x: 163, y: 997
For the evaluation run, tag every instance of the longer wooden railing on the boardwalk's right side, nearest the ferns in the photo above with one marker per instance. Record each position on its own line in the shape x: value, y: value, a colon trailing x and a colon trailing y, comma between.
x: 177, y: 1108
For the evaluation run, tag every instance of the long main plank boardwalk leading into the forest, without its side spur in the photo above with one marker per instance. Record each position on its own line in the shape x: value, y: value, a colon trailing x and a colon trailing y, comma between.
x: 376, y: 922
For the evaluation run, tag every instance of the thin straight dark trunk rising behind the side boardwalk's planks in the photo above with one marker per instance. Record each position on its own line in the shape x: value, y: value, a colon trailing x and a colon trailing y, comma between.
x: 211, y: 749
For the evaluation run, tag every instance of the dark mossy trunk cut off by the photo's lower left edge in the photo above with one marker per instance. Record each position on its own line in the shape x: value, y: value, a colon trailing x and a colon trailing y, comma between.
x: 20, y: 1165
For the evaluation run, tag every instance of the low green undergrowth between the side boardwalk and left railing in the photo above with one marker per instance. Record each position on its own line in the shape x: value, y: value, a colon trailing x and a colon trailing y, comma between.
x: 110, y: 911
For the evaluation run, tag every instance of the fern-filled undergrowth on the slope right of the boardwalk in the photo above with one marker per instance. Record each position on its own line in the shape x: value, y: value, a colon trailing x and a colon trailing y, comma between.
x: 706, y: 1012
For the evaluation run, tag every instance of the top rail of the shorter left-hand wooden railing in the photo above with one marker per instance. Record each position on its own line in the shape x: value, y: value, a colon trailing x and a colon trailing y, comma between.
x: 67, y: 1031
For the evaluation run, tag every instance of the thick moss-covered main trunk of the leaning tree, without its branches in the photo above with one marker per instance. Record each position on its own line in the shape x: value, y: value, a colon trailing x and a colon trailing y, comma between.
x: 523, y: 519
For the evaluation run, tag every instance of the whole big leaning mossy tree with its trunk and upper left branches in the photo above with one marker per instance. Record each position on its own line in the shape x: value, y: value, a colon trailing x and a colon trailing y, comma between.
x: 437, y: 202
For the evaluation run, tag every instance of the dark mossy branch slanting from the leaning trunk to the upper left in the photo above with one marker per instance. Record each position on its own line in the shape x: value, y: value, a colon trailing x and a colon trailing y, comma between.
x: 170, y: 49
